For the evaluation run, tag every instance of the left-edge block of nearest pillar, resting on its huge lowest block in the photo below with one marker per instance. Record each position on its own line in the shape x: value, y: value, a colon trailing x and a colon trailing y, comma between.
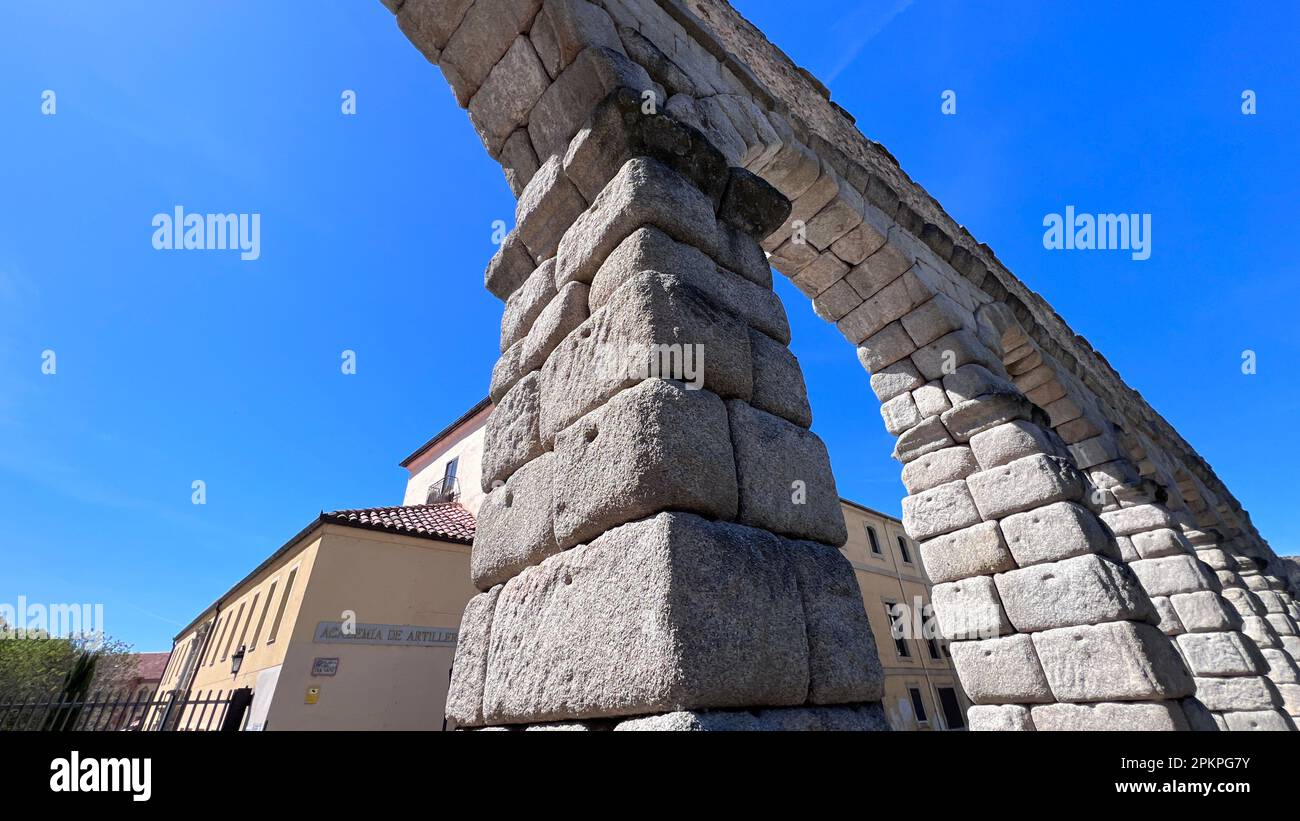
x: 514, y: 525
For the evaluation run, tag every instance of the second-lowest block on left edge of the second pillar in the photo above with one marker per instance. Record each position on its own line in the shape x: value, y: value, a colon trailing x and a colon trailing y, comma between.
x: 1002, y: 671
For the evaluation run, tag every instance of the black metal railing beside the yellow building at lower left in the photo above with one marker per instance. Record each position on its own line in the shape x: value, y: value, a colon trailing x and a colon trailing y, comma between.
x: 128, y: 711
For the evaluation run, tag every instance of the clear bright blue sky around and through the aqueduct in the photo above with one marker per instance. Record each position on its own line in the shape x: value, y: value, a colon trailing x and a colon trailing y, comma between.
x: 175, y: 367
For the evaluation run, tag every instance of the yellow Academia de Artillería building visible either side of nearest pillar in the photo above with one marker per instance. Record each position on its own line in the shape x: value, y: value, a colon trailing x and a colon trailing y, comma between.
x: 353, y: 623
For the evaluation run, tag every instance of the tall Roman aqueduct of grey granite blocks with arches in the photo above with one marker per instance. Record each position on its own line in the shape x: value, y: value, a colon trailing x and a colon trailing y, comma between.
x: 662, y: 558
